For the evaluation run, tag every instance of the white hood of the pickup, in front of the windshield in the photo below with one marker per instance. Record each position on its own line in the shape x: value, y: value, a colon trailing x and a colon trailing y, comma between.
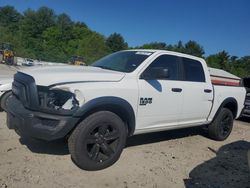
x: 52, y: 75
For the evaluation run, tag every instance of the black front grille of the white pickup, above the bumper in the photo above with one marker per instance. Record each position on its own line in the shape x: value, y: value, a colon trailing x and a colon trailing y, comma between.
x: 24, y: 88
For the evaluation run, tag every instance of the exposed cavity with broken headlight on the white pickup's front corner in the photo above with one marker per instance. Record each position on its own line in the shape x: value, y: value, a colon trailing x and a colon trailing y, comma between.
x: 59, y: 98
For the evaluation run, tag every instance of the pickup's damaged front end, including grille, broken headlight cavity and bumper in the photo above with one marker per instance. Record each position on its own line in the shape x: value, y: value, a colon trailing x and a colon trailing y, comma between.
x: 42, y: 112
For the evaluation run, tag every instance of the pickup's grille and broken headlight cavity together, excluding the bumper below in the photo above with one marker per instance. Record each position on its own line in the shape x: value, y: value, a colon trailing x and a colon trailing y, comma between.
x: 60, y: 100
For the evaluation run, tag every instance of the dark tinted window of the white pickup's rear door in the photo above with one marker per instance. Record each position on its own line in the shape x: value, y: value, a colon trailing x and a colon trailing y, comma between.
x: 192, y: 70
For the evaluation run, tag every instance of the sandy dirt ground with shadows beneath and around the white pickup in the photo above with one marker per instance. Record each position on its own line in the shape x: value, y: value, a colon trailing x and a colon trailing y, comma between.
x: 180, y: 158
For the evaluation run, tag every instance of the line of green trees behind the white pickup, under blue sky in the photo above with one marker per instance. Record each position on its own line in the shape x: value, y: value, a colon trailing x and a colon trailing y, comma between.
x: 42, y: 34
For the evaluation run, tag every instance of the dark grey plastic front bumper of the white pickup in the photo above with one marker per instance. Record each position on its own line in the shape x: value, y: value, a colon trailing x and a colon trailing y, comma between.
x: 37, y: 124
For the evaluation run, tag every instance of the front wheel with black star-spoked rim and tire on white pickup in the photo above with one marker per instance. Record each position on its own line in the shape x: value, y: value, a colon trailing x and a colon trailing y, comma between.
x: 97, y: 142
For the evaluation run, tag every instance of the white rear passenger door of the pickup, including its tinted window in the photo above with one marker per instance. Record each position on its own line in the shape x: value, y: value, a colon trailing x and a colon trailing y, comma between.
x: 197, y: 92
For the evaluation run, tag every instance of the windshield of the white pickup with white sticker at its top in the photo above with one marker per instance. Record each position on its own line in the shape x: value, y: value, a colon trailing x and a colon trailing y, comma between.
x: 124, y: 61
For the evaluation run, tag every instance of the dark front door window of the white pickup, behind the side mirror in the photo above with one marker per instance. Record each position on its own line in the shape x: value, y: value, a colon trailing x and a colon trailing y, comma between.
x: 168, y: 62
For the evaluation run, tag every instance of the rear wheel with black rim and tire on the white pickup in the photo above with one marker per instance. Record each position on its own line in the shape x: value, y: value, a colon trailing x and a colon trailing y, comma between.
x: 222, y: 125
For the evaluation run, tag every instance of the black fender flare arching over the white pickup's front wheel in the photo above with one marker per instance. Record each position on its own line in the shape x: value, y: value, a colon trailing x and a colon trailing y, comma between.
x: 117, y: 105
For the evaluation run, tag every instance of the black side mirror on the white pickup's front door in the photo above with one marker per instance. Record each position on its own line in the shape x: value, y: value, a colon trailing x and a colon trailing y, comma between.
x: 155, y: 73
